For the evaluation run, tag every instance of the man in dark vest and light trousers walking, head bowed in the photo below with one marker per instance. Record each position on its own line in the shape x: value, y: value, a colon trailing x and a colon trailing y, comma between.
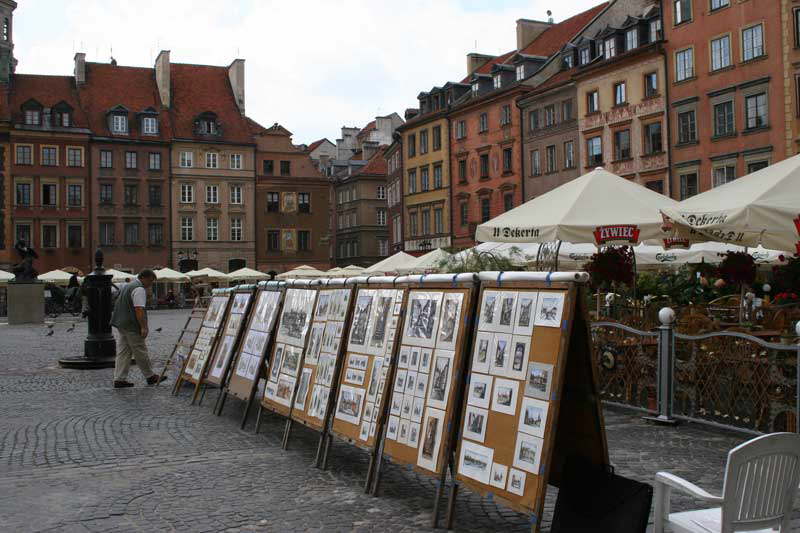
x: 130, y: 319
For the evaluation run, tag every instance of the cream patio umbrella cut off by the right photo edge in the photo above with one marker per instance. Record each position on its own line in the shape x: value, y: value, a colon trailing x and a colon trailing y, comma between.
x: 762, y: 208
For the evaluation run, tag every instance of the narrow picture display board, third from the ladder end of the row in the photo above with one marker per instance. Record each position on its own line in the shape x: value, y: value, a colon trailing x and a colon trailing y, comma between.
x: 247, y: 368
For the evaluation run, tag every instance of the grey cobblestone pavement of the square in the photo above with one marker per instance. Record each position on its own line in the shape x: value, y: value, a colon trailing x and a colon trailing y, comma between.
x: 77, y: 455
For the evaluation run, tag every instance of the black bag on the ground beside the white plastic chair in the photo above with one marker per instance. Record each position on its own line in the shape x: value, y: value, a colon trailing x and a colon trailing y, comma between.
x: 593, y: 499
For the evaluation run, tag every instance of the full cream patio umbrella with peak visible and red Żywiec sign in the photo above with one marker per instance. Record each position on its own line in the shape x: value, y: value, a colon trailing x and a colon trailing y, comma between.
x: 598, y: 207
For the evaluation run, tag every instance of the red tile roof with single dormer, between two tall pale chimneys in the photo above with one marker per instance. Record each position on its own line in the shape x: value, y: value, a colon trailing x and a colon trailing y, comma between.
x: 200, y: 88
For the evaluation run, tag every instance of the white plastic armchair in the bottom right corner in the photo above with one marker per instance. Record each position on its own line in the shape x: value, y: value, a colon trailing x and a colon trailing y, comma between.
x: 761, y: 481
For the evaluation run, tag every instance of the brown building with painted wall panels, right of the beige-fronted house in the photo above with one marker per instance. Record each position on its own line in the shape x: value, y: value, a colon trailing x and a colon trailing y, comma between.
x: 291, y: 204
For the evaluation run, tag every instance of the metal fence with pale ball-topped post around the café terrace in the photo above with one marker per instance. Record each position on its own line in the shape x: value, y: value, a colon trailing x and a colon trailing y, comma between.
x: 725, y: 378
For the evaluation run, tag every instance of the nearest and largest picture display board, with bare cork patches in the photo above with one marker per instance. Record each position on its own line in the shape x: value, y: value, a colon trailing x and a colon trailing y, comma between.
x: 532, y: 399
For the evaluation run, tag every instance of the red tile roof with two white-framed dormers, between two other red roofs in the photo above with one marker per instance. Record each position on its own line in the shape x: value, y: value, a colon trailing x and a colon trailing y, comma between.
x: 108, y: 86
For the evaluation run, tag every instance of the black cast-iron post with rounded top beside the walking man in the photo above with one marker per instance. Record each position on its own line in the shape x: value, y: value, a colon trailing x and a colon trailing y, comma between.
x: 99, y: 348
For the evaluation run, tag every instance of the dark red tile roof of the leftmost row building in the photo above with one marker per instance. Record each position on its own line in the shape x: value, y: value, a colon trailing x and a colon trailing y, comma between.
x: 48, y: 91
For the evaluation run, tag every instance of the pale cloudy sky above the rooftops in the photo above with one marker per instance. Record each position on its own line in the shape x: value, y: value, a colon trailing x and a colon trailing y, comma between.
x: 312, y: 66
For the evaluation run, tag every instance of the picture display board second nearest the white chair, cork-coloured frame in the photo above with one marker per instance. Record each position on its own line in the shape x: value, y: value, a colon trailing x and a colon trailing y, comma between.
x: 426, y: 395
